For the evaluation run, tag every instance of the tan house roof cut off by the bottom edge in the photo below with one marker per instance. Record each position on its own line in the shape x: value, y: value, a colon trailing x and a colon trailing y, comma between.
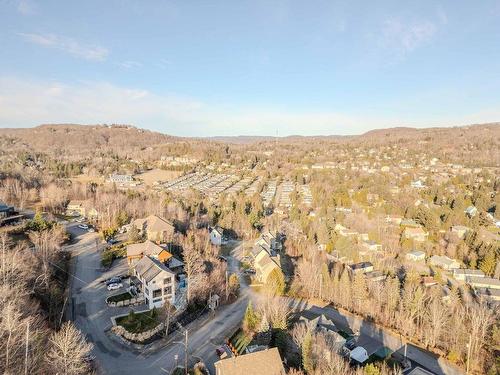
x: 264, y: 362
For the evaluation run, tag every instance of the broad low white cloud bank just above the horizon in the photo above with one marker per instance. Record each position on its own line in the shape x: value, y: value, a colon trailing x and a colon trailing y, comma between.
x: 29, y: 103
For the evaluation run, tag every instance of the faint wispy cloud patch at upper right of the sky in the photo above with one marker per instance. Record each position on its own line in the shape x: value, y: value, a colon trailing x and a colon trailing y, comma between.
x: 404, y: 37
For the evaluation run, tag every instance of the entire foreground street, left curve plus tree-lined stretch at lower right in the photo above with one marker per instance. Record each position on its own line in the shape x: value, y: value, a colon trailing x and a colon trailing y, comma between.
x: 91, y: 314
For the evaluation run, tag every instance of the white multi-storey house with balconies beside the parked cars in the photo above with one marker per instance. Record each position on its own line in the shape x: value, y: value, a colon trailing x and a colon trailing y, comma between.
x: 155, y: 280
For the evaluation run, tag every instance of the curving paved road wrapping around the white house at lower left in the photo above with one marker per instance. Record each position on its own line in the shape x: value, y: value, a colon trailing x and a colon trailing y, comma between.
x: 91, y: 314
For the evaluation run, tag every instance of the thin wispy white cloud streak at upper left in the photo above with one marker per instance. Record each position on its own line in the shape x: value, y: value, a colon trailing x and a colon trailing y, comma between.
x: 68, y: 45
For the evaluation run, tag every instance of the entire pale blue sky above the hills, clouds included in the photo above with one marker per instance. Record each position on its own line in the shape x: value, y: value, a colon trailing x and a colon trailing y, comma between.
x: 275, y: 67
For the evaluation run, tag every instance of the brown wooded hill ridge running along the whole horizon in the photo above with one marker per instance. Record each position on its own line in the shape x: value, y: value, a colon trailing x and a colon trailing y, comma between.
x: 81, y: 139
